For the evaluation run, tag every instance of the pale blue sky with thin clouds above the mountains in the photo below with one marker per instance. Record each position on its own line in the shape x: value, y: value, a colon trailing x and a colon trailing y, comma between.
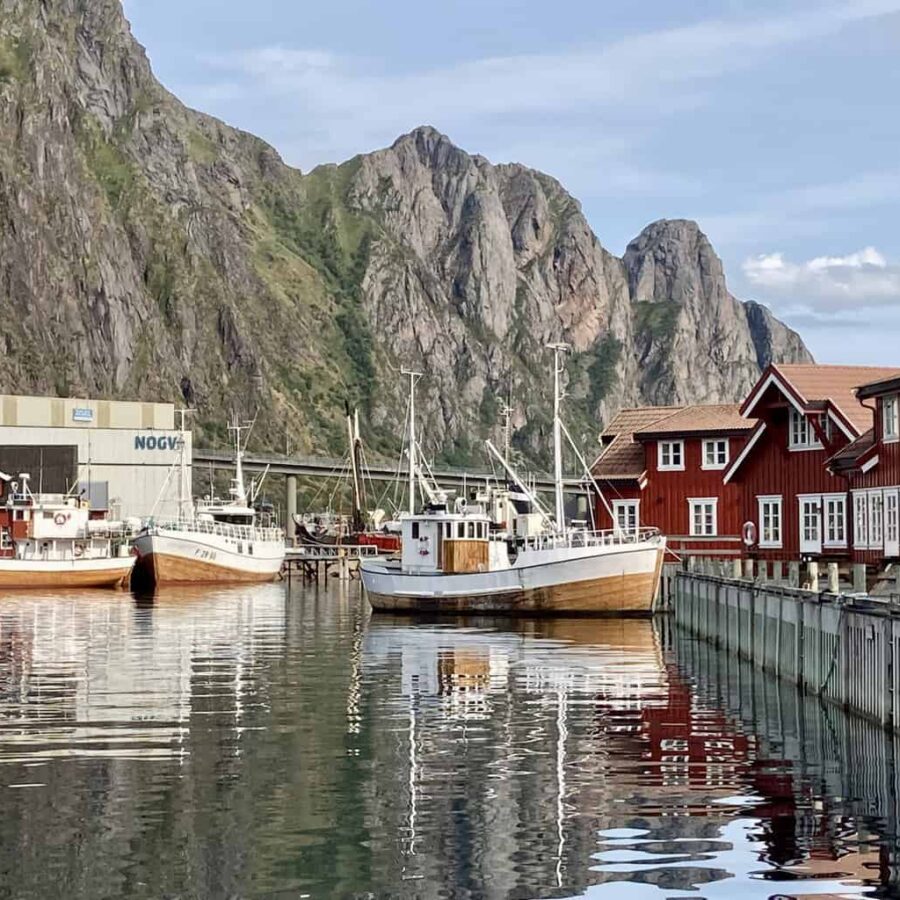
x: 773, y: 124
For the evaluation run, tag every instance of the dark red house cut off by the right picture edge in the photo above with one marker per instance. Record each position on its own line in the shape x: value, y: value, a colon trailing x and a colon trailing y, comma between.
x: 871, y: 465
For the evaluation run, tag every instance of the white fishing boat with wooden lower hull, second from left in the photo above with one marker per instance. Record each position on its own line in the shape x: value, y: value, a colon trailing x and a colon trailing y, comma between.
x: 212, y: 540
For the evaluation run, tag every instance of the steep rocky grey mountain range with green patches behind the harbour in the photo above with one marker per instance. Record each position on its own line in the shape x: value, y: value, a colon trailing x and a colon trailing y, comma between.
x: 148, y: 250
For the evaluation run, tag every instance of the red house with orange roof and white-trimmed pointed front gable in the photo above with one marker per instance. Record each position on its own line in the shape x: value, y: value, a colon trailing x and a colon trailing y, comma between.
x: 805, y: 415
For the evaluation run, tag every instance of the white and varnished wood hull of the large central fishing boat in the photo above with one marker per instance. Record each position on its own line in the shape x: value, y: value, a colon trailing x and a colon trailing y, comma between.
x: 620, y: 583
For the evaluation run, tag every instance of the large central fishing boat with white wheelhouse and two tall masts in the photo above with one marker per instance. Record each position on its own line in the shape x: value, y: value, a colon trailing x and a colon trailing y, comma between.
x: 455, y: 559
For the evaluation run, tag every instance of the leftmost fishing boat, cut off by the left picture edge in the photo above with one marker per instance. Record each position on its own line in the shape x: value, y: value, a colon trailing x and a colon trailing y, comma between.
x: 58, y: 541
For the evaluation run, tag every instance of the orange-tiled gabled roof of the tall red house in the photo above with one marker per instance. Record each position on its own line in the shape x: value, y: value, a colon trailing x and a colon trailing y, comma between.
x: 808, y: 385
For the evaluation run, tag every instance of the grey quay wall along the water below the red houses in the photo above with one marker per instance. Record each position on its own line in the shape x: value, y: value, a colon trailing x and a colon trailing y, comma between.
x: 843, y: 649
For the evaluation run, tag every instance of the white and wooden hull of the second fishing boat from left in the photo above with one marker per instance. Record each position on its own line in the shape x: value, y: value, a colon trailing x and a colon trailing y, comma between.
x: 180, y: 559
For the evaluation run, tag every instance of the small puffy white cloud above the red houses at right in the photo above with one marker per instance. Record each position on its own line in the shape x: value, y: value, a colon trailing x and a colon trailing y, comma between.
x: 828, y: 284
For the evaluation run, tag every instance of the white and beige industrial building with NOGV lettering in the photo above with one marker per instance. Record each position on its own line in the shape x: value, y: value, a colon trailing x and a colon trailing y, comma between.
x: 125, y: 455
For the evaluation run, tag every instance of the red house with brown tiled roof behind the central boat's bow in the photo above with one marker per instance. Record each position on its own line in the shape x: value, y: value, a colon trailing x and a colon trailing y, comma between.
x: 662, y: 467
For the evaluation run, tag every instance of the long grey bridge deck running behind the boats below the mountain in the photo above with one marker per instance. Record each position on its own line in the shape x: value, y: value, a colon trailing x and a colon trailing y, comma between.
x: 325, y: 467
